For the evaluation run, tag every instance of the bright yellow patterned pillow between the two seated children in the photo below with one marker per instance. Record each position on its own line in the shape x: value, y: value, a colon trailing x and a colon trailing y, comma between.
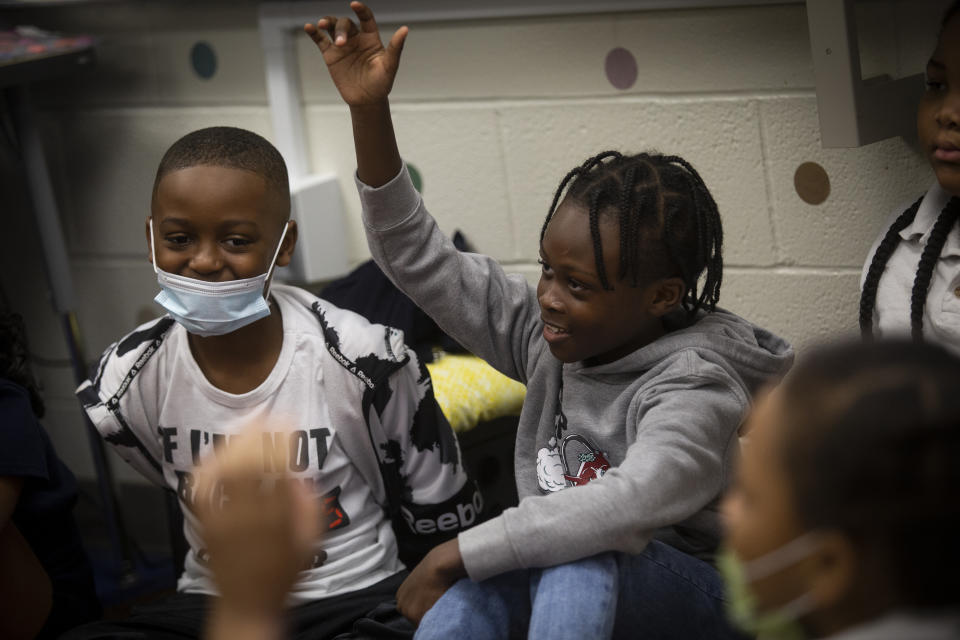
x: 470, y: 391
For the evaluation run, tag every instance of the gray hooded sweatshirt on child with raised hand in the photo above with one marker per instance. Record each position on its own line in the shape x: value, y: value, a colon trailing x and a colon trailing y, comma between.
x: 664, y: 417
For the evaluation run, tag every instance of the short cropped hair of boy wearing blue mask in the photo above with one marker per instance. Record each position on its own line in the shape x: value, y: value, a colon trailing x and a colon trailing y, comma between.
x: 229, y: 147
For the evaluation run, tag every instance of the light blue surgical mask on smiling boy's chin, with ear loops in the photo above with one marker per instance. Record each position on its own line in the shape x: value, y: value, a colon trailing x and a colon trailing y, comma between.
x: 214, y: 308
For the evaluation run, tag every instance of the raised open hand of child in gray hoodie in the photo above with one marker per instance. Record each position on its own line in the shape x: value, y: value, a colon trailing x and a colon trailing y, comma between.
x: 359, y: 65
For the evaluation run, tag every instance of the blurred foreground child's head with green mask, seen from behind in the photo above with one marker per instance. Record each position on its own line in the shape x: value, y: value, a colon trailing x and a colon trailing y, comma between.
x: 843, y: 520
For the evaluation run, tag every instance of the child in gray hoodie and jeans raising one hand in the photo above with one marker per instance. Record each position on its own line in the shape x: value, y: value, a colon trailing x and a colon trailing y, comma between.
x: 636, y: 384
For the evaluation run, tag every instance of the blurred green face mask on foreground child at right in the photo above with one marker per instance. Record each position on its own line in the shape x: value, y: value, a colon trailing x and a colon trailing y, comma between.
x: 781, y: 623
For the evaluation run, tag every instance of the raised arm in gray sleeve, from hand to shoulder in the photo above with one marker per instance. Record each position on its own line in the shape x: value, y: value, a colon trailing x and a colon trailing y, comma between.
x: 469, y: 296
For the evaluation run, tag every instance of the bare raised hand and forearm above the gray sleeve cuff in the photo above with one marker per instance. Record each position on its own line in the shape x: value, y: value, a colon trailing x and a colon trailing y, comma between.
x: 363, y: 71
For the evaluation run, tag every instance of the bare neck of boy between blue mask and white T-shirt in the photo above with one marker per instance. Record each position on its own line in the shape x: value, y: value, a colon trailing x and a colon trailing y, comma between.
x: 239, y: 362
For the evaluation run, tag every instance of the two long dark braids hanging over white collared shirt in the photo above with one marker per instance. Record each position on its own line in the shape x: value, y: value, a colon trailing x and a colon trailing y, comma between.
x: 928, y: 260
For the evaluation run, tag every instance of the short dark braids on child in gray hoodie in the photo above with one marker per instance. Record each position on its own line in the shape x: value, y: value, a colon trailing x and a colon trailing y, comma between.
x: 669, y: 223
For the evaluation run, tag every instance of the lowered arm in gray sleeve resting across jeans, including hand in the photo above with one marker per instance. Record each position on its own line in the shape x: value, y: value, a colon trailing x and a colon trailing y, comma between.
x: 686, y: 440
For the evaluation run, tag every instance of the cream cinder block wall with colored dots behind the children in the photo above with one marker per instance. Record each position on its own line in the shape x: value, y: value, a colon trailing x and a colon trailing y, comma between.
x: 492, y: 114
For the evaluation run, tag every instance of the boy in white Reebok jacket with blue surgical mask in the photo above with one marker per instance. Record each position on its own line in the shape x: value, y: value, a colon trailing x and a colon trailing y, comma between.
x: 364, y: 434
